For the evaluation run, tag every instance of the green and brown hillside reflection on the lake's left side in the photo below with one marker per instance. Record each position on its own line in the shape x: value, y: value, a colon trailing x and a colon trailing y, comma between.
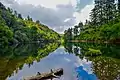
x: 12, y: 58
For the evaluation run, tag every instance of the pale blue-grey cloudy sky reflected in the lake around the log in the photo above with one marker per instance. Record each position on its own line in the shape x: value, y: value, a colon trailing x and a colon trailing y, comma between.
x: 57, y: 59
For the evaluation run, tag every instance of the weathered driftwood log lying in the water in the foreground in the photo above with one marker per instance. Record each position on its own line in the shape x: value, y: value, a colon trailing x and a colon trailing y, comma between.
x: 44, y: 76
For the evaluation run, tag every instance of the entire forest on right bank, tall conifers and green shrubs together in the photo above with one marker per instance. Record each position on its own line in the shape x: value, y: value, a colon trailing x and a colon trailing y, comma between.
x: 103, y: 26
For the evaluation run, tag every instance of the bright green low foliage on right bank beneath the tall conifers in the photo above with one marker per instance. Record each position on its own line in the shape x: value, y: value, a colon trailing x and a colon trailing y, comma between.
x: 107, y: 32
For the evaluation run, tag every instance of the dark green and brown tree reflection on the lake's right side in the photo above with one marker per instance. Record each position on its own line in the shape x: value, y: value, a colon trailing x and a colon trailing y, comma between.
x: 105, y: 66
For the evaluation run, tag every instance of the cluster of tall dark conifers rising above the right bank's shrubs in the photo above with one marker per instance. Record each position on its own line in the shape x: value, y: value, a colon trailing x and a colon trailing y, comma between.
x: 103, y: 12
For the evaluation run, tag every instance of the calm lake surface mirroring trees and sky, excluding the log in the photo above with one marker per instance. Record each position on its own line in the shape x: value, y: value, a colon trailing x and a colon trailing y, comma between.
x: 21, y: 61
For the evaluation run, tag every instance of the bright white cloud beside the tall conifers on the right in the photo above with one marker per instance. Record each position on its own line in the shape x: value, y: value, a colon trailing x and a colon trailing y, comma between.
x: 83, y: 14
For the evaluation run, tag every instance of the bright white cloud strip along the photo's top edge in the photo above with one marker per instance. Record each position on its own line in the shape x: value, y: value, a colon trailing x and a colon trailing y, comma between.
x: 47, y: 3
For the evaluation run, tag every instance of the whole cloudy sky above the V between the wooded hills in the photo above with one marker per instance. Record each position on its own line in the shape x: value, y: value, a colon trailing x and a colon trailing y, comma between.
x: 59, y: 15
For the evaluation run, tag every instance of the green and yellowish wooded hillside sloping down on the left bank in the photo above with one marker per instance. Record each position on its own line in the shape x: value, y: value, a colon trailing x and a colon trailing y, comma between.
x: 15, y: 29
